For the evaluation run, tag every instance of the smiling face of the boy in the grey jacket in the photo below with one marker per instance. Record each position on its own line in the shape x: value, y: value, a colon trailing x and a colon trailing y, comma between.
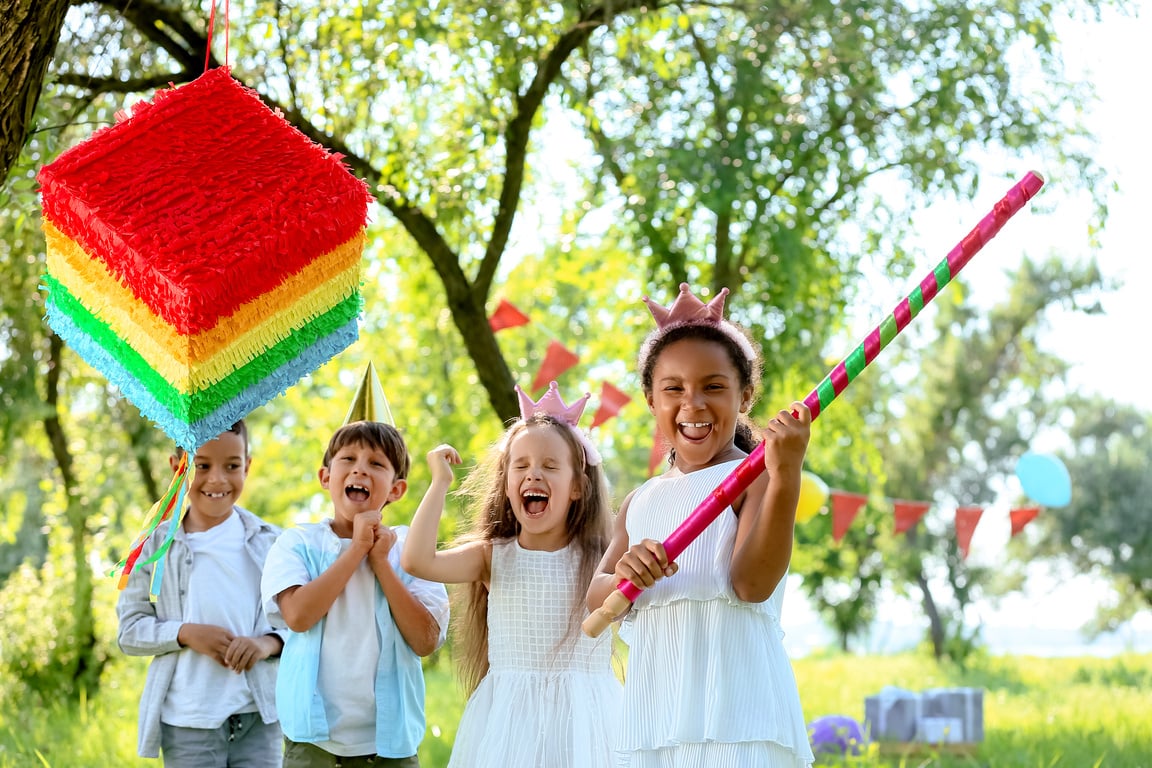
x: 221, y: 470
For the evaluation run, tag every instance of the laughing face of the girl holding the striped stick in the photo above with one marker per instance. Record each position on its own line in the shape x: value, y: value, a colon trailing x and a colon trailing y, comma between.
x: 696, y: 399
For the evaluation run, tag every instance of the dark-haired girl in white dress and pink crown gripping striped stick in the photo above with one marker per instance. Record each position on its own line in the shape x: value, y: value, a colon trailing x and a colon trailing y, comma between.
x: 709, y: 682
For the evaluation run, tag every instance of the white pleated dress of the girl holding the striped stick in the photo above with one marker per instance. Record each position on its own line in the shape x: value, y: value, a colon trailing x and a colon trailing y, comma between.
x: 709, y: 683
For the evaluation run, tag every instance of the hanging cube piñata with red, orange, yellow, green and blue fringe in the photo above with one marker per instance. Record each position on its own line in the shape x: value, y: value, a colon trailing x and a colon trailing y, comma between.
x: 203, y: 255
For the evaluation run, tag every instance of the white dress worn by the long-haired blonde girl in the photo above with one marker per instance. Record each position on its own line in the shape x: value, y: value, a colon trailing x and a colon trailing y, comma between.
x: 551, y: 698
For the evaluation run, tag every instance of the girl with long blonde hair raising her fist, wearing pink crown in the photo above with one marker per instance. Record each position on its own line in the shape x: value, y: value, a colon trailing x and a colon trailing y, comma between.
x: 542, y: 694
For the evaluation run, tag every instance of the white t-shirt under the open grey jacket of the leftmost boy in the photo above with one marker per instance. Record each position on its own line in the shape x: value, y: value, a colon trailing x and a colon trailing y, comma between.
x: 224, y: 589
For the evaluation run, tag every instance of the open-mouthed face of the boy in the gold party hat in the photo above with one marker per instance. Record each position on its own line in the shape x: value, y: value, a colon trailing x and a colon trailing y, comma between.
x: 360, y: 478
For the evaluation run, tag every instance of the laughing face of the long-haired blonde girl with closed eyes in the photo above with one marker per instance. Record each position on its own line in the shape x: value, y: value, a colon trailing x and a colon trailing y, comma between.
x: 541, y: 486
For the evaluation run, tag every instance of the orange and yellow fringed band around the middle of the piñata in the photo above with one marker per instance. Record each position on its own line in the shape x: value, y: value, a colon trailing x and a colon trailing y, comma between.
x: 194, y: 363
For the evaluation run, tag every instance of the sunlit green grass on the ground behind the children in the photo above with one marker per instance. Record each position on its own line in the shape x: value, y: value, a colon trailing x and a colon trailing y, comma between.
x: 1040, y: 713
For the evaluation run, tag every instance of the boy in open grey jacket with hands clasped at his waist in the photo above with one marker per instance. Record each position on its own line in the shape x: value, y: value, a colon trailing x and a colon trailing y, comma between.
x: 209, y: 701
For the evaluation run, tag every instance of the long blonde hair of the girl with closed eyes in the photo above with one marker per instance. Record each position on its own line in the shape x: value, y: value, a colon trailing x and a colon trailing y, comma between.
x: 589, y: 526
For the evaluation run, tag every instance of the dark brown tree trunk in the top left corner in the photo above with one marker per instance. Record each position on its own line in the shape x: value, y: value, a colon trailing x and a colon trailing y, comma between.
x: 29, y: 31
